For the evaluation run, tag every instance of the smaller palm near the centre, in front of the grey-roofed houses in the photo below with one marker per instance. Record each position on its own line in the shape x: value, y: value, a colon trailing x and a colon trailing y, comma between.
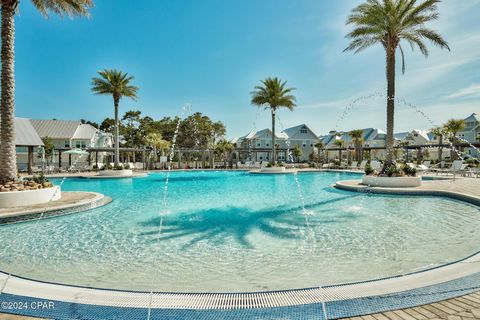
x: 273, y: 95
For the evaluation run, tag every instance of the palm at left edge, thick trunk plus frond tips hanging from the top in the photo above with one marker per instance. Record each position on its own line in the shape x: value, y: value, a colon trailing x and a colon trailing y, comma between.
x: 8, y: 169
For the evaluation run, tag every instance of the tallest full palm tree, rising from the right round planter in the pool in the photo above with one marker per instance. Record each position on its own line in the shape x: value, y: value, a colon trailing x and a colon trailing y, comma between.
x: 389, y: 22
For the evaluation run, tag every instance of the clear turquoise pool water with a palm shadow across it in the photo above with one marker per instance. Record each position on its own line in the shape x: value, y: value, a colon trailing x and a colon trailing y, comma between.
x: 232, y: 231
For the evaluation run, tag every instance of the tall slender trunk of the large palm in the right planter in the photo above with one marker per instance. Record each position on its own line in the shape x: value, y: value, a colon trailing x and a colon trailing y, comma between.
x: 390, y: 104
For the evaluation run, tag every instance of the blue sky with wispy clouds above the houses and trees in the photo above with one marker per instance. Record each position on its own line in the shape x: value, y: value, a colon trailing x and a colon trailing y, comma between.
x: 211, y: 53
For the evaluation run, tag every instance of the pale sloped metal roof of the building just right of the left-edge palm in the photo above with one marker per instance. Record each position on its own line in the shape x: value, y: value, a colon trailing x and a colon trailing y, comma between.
x: 56, y: 129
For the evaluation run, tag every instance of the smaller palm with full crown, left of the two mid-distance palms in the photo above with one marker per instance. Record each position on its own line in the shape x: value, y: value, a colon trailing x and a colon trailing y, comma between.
x: 117, y: 84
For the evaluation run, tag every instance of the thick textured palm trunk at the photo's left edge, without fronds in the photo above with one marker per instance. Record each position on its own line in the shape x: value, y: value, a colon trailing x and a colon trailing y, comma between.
x: 8, y: 158
